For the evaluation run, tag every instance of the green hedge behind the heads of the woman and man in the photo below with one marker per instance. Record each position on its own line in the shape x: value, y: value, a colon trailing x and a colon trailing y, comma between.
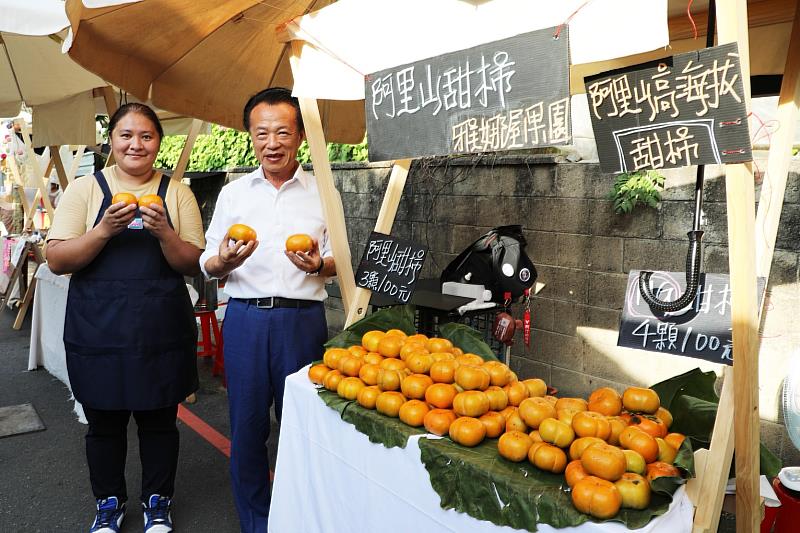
x: 226, y: 148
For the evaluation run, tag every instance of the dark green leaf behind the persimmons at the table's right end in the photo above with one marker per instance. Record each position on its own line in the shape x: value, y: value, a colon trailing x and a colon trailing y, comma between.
x: 691, y: 399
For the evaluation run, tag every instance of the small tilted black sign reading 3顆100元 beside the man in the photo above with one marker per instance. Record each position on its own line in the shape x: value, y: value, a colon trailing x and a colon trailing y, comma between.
x: 390, y: 266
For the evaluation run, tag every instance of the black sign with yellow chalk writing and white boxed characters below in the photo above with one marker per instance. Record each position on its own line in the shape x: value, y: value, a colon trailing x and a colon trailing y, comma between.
x: 683, y: 110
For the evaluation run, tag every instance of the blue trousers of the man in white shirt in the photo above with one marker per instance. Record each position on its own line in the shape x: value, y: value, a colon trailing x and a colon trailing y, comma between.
x: 262, y: 347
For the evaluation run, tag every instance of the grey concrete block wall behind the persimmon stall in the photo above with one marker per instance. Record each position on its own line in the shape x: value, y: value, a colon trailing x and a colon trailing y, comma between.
x: 583, y: 252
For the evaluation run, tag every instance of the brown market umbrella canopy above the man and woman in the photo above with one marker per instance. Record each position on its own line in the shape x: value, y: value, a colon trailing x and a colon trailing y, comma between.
x: 202, y: 58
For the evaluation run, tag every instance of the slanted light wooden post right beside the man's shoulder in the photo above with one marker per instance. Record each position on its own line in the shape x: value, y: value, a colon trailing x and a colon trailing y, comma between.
x: 331, y: 201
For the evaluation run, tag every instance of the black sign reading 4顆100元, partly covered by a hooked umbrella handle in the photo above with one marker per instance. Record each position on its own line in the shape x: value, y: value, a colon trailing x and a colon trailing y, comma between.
x: 702, y: 331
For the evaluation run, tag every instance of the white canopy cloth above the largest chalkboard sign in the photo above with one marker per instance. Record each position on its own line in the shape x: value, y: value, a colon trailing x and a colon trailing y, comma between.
x: 597, y: 32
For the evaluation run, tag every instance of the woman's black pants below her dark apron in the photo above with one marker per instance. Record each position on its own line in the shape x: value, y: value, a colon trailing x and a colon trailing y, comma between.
x: 107, y: 449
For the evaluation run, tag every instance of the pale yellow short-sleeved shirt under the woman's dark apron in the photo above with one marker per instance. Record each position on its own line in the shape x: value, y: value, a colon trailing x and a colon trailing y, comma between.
x: 82, y: 199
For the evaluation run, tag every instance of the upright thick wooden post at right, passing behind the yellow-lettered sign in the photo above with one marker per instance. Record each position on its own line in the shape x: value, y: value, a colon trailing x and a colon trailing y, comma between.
x: 740, y: 192
